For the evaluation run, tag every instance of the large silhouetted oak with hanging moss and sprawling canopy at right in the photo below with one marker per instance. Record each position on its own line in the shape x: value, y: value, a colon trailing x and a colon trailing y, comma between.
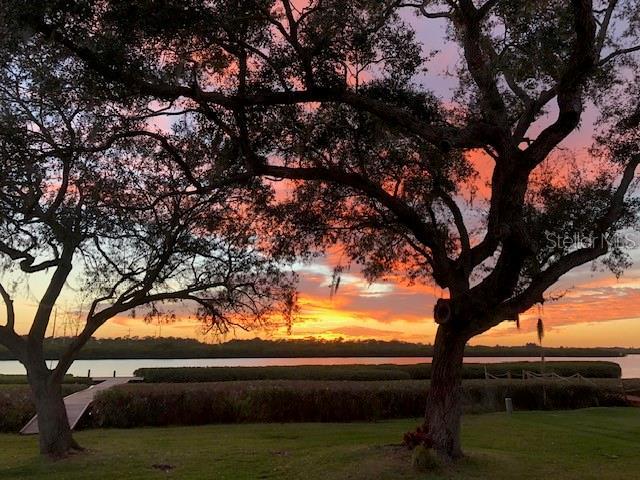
x: 324, y: 93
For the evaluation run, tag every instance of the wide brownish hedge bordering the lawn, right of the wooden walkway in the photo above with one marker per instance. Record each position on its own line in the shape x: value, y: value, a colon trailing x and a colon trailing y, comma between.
x: 137, y: 405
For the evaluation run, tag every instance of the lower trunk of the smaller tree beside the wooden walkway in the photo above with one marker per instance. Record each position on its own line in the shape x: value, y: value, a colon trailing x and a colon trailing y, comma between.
x: 53, y: 424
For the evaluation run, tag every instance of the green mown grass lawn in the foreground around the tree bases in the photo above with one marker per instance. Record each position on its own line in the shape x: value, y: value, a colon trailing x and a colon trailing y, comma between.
x: 580, y: 444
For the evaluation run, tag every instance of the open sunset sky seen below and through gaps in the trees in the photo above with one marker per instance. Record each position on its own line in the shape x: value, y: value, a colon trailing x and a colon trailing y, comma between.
x: 596, y: 309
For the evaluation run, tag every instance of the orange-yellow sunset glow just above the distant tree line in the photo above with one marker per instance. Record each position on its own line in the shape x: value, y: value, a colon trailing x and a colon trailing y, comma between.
x: 598, y: 311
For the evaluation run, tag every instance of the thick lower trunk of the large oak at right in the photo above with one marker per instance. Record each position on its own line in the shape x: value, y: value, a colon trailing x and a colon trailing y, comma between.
x: 444, y: 401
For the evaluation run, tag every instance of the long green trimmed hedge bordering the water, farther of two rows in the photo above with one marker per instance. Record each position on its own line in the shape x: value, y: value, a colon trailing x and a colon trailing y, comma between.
x: 368, y: 372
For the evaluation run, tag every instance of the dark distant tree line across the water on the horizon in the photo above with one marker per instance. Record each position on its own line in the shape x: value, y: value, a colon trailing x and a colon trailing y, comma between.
x: 170, y: 347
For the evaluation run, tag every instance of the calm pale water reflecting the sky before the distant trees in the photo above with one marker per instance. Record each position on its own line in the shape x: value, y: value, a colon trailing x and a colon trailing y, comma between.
x: 104, y: 368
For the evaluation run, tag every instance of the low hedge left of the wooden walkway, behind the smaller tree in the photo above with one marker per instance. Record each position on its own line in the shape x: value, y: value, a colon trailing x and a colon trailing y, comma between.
x: 17, y: 407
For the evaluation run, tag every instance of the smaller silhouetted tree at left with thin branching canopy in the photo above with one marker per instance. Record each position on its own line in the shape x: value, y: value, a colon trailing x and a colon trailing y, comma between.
x: 91, y: 199
